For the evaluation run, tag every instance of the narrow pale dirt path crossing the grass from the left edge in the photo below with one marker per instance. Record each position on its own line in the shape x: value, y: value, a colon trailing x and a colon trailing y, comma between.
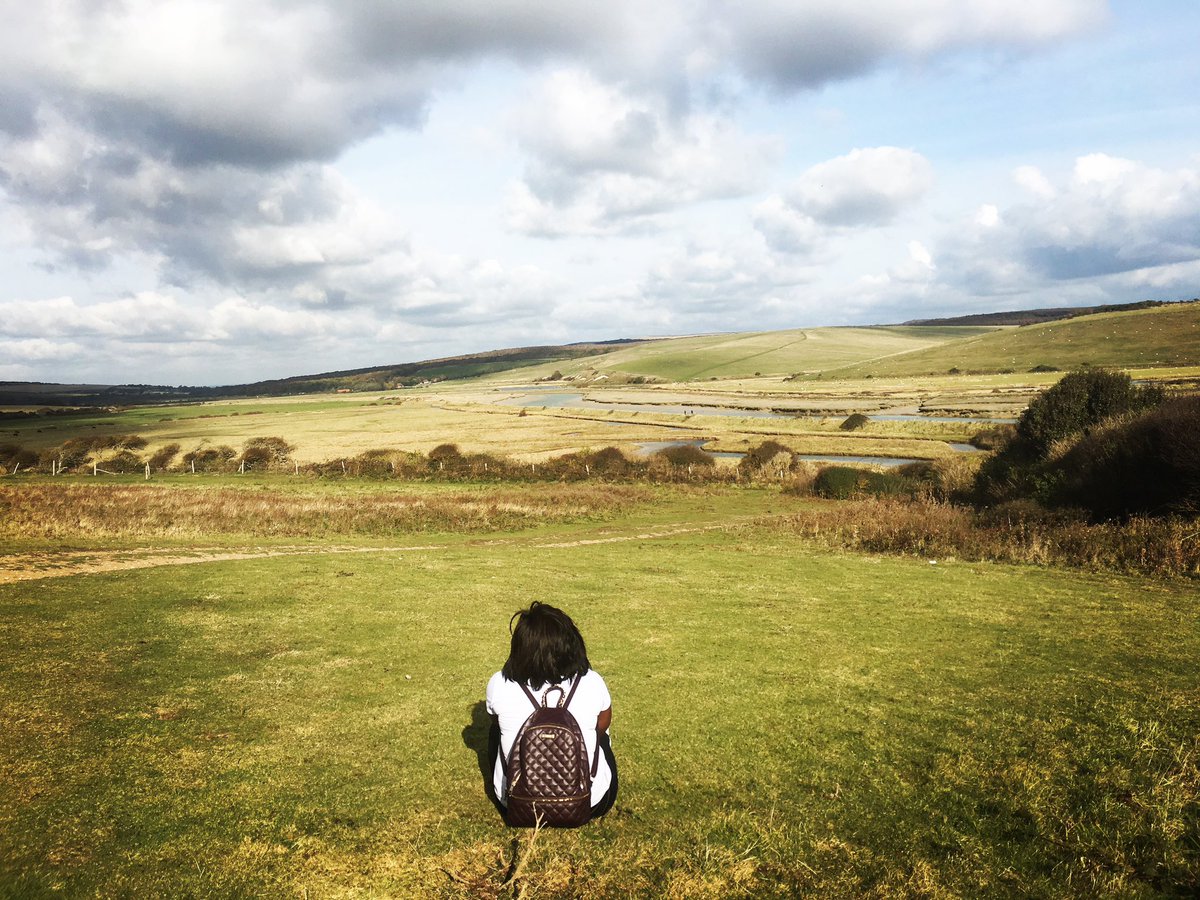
x: 33, y: 567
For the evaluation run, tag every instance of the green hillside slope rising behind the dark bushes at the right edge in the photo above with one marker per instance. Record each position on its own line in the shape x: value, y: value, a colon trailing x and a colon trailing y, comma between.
x: 1163, y: 337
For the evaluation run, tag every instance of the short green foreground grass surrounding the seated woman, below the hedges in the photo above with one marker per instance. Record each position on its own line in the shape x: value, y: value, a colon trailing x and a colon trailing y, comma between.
x: 788, y: 721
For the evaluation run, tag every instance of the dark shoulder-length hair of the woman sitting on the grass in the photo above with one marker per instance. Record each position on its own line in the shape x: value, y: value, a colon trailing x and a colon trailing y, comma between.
x: 547, y: 647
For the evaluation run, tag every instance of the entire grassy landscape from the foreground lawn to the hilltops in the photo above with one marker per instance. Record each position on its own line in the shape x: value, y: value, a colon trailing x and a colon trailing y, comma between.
x: 269, y: 683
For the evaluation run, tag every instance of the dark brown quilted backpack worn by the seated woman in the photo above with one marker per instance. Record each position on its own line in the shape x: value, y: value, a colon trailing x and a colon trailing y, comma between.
x: 550, y: 782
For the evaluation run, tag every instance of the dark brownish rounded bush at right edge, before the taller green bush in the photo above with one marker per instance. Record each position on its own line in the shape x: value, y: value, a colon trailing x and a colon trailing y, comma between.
x: 1142, y: 465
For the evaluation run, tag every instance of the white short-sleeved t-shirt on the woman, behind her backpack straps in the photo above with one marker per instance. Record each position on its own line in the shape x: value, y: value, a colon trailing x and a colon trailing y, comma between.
x: 508, y: 703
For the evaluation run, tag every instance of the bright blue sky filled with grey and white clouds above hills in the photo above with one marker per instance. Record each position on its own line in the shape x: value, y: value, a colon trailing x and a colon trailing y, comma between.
x: 225, y: 191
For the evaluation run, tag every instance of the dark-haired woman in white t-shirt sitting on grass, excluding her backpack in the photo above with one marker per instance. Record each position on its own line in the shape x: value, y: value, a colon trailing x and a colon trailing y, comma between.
x: 548, y: 657
